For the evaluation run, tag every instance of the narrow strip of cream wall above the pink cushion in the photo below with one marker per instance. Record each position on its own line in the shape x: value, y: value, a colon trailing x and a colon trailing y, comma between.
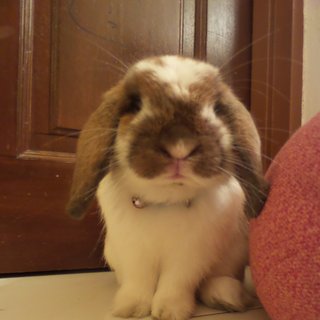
x: 311, y: 60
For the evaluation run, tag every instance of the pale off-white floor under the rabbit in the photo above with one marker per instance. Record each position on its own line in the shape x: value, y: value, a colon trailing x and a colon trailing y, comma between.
x: 78, y: 297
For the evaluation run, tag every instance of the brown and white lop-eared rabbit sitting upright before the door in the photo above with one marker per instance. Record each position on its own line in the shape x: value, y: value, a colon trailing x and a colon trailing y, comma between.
x: 174, y: 158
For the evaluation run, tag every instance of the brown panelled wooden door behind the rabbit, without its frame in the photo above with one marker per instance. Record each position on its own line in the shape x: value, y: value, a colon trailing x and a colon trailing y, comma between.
x: 57, y: 58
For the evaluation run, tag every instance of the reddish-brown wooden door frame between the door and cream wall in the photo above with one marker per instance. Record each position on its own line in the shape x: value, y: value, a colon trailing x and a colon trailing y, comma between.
x: 277, y: 65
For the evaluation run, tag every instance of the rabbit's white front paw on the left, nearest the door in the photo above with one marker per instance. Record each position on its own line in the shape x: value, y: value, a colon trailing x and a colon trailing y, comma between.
x: 129, y: 303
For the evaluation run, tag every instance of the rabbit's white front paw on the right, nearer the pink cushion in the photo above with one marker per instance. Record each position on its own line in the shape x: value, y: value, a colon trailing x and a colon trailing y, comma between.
x: 172, y: 307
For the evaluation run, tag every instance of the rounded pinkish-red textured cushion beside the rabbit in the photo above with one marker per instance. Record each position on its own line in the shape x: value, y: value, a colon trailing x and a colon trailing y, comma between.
x: 285, y: 238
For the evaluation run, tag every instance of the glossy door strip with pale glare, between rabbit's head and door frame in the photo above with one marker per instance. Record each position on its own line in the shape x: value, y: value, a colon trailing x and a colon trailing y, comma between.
x: 229, y: 43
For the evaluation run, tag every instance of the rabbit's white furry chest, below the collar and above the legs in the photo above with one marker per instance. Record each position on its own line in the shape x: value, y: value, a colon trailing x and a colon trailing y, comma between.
x: 177, y: 235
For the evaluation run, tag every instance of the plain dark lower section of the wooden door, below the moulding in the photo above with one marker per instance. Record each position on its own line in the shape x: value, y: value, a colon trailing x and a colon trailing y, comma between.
x: 35, y: 234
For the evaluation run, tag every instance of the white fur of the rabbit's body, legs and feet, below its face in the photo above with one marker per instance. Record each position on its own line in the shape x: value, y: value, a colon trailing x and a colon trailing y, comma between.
x: 161, y: 254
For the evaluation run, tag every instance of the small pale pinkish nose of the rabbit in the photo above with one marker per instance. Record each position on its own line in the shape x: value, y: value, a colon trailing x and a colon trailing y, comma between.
x: 181, y: 150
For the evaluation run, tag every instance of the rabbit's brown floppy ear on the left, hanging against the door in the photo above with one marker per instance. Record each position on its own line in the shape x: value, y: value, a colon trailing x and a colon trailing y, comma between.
x: 94, y: 151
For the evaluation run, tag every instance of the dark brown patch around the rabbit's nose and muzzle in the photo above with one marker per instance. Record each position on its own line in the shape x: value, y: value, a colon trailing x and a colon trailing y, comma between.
x: 154, y: 134
